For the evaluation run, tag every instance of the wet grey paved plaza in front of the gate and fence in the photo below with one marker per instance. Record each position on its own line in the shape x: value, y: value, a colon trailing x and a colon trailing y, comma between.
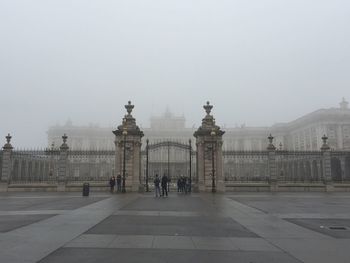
x: 239, y: 227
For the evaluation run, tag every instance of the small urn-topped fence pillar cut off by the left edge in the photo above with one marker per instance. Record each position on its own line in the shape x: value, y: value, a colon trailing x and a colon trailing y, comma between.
x: 6, y: 164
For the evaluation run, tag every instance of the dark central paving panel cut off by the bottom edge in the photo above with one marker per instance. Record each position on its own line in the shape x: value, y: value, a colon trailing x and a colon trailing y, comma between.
x: 86, y: 255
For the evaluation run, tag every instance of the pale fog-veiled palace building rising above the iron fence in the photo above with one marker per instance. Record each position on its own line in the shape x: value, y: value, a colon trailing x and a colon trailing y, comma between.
x: 302, y: 134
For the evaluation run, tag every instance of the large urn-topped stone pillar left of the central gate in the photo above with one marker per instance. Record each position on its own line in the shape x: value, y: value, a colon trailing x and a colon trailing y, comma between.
x: 128, y: 152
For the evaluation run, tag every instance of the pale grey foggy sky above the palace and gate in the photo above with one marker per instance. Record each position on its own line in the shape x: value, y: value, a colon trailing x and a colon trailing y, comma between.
x: 258, y: 62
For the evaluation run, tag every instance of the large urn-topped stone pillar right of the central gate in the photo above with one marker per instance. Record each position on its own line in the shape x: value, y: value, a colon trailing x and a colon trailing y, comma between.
x: 209, y: 154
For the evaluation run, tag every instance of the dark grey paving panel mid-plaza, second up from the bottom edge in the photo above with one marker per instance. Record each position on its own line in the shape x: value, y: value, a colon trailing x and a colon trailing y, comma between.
x: 171, y: 226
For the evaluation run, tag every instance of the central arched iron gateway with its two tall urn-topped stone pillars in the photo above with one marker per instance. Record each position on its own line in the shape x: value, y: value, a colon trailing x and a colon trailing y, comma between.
x: 137, y: 168
